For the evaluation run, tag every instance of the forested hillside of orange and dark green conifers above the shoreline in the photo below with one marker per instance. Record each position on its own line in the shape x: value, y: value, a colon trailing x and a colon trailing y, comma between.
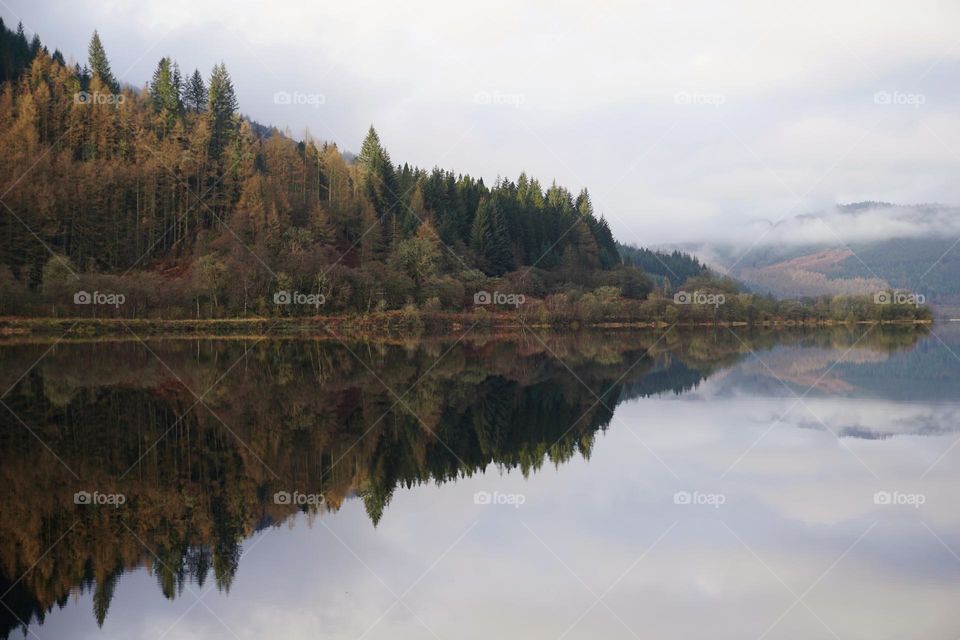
x: 165, y: 202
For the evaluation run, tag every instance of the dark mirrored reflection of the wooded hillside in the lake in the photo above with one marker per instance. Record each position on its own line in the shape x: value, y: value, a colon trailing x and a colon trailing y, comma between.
x: 306, y: 411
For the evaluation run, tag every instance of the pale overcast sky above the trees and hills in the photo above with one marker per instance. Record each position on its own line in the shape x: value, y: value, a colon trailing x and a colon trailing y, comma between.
x: 686, y: 120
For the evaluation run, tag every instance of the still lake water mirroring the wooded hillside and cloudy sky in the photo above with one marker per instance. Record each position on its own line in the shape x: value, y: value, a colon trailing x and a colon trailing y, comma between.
x: 799, y: 484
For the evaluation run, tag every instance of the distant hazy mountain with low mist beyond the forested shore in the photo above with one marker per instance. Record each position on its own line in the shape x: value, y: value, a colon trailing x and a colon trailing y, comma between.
x: 859, y: 248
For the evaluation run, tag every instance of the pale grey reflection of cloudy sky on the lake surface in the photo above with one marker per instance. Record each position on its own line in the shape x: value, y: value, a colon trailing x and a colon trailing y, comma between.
x: 799, y: 515
